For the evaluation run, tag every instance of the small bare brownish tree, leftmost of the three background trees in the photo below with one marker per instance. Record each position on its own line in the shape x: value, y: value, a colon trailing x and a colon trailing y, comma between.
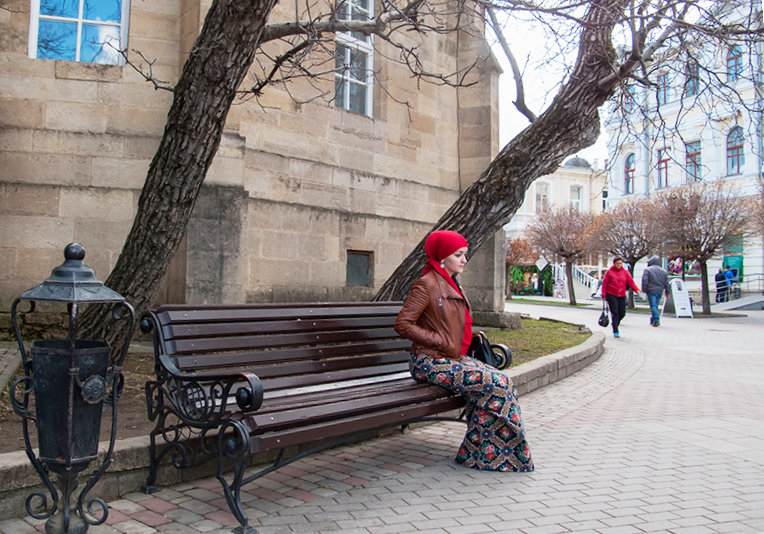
x: 563, y: 233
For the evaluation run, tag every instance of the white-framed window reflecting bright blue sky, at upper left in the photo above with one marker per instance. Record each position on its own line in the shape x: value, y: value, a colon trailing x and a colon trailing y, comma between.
x: 89, y: 31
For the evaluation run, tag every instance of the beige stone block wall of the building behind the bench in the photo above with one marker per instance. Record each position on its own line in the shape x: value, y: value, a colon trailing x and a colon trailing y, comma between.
x: 293, y: 188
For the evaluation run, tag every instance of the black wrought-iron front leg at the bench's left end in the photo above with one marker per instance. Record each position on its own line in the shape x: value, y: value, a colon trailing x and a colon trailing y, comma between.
x: 233, y: 445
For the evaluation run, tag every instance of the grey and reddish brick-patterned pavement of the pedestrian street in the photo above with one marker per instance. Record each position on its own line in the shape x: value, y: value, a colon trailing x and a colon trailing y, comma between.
x: 664, y: 433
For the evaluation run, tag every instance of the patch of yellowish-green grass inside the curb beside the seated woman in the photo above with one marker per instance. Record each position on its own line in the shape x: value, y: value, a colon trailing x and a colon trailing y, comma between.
x: 538, y: 337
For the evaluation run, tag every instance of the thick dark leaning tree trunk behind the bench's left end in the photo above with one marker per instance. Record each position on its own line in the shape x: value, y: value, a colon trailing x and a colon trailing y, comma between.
x: 216, y: 66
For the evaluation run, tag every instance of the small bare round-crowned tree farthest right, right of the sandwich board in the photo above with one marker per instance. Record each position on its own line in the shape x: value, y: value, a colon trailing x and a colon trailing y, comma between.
x: 699, y: 219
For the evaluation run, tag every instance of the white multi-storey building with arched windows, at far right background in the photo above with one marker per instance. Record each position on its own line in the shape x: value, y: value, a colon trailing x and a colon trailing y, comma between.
x: 699, y: 121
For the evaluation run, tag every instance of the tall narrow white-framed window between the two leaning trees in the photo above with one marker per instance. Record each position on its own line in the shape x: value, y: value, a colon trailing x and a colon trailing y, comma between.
x: 354, y: 60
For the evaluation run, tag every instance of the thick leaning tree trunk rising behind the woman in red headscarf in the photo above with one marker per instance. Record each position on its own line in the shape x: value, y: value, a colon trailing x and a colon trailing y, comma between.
x: 570, y: 124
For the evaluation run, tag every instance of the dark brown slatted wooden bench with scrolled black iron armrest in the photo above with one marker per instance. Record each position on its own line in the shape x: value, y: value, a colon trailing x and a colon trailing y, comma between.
x: 250, y: 378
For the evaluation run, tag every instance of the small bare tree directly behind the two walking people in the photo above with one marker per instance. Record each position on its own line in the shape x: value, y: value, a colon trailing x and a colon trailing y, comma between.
x: 631, y: 230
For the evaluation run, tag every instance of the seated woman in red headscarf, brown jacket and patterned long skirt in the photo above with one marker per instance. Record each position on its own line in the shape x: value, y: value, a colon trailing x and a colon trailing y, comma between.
x: 436, y: 318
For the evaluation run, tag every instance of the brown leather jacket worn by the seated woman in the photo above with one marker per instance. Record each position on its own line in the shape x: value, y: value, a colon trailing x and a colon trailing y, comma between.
x: 433, y: 318
